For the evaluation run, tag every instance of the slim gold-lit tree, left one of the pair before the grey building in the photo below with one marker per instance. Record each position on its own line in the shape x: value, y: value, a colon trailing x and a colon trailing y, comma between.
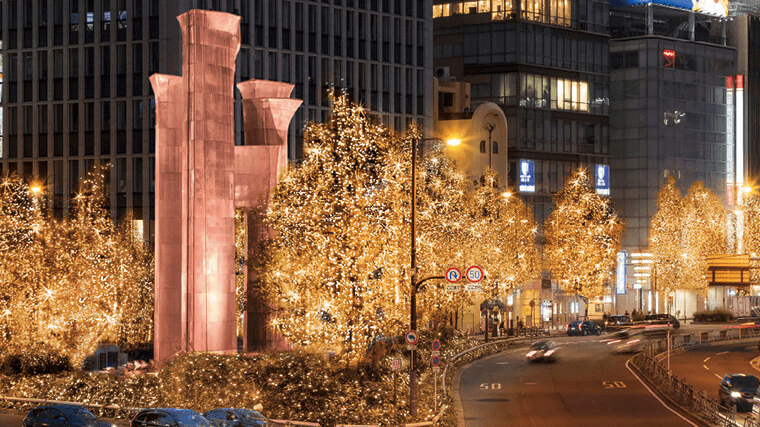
x: 665, y: 237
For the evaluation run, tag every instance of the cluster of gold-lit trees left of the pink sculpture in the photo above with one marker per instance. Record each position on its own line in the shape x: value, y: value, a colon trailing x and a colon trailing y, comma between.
x: 87, y: 280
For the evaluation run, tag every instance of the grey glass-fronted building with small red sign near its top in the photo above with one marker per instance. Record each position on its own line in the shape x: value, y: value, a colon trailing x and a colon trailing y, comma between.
x: 668, y: 111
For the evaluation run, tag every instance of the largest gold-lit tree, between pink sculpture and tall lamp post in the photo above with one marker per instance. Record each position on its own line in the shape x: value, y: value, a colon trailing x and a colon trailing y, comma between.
x: 338, y: 266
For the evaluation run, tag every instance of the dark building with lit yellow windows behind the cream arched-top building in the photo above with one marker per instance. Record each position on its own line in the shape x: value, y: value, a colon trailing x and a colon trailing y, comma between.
x: 546, y: 64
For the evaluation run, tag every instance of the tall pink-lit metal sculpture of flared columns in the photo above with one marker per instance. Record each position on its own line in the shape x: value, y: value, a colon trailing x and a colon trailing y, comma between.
x: 201, y: 176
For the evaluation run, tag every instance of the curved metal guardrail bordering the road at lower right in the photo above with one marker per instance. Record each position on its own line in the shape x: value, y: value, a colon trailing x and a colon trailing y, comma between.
x: 678, y: 391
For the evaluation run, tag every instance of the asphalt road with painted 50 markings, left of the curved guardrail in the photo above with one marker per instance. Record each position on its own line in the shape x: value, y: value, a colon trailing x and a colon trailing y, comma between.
x: 587, y: 386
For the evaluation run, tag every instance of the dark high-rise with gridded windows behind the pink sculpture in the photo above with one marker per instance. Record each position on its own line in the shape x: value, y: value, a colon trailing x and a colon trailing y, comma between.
x: 77, y: 94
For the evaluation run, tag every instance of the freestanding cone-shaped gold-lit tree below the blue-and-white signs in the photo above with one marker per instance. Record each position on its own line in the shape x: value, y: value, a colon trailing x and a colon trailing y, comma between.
x: 583, y: 236
